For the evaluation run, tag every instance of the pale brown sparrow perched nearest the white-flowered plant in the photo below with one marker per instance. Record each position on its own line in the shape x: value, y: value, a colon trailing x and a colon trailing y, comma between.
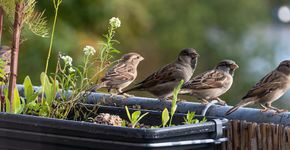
x: 122, y: 74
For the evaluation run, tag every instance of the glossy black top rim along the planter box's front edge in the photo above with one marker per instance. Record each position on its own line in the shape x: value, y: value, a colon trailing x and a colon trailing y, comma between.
x: 66, y: 124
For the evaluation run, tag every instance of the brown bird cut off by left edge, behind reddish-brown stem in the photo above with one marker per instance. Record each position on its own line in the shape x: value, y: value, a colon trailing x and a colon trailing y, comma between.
x: 5, y: 55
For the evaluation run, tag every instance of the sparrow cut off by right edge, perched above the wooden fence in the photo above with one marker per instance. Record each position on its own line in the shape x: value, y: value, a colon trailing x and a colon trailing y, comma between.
x: 268, y: 89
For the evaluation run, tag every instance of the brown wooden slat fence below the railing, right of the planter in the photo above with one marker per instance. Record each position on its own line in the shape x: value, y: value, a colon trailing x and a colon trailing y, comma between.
x: 252, y: 136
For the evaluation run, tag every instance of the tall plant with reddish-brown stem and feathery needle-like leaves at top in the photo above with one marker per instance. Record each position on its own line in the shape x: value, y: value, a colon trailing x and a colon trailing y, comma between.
x: 24, y: 14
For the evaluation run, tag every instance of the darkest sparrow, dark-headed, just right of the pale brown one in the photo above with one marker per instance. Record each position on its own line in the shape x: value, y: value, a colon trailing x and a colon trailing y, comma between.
x: 162, y: 82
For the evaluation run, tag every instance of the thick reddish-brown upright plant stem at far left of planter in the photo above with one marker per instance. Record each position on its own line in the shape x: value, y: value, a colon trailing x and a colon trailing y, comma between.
x: 19, y: 13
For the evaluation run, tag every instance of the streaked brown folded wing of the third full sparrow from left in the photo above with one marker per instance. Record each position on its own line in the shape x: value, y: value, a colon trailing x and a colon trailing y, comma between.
x: 207, y: 80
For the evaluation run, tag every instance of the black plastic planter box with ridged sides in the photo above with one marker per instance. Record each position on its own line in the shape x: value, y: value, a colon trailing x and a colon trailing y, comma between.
x: 38, y: 133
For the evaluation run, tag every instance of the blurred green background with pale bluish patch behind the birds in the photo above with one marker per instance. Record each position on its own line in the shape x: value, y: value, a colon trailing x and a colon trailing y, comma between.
x: 249, y: 32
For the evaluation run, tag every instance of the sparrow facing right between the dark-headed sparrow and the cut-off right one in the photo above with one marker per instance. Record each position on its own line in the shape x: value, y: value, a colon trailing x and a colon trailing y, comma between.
x: 213, y: 83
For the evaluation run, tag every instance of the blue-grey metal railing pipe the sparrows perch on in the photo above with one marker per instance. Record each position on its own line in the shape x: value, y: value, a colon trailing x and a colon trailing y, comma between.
x: 247, y: 114
